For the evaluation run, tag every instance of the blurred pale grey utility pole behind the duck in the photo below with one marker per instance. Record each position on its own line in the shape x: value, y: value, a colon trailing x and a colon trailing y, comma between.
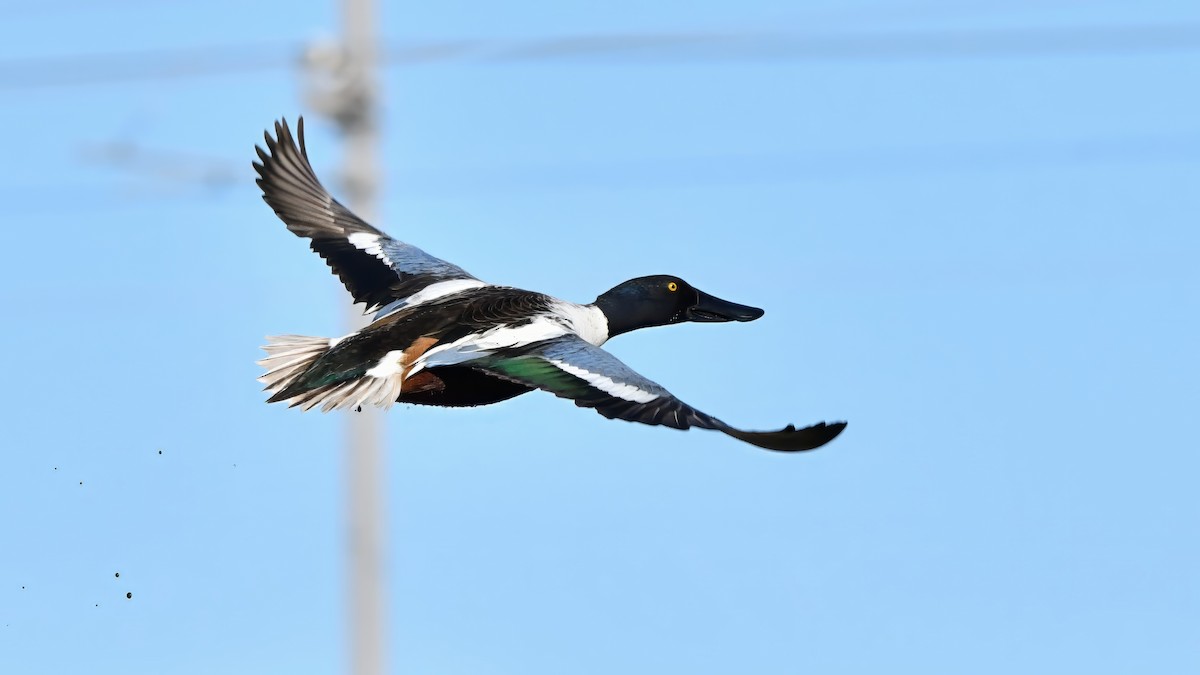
x: 345, y: 89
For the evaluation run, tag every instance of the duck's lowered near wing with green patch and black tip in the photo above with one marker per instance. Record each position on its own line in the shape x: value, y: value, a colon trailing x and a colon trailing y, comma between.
x: 574, y: 369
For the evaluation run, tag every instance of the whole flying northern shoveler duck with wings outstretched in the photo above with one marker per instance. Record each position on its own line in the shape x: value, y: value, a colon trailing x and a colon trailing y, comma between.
x: 443, y: 338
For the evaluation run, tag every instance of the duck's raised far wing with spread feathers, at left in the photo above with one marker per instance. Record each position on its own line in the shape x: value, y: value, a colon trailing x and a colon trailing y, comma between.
x: 375, y: 268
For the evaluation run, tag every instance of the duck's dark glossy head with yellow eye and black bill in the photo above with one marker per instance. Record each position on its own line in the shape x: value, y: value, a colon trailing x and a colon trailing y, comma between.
x: 663, y: 300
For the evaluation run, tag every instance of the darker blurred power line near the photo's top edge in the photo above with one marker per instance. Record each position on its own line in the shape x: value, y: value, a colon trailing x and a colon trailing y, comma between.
x: 81, y: 70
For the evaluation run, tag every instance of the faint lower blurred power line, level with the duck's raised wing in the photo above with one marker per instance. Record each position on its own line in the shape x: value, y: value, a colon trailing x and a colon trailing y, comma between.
x: 212, y: 177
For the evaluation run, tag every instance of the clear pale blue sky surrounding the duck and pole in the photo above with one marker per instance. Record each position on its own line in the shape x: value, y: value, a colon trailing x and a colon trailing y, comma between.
x: 986, y: 264
